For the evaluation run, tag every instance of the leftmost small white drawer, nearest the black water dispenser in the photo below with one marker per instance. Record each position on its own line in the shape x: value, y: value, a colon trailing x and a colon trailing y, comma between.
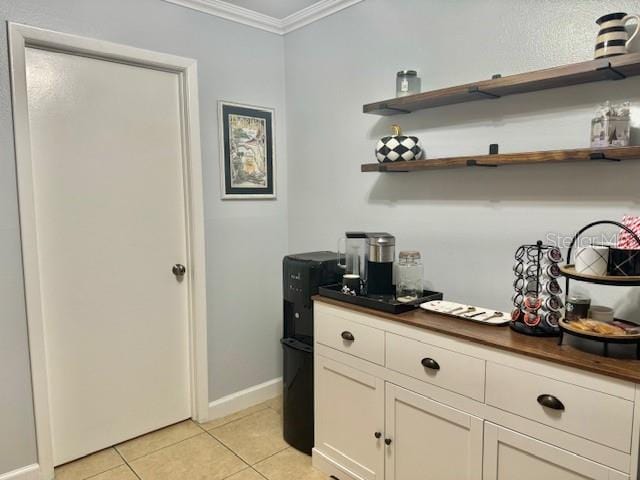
x: 350, y: 337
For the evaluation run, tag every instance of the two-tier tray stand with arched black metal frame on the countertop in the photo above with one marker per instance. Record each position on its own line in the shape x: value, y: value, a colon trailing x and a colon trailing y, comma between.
x: 570, y: 273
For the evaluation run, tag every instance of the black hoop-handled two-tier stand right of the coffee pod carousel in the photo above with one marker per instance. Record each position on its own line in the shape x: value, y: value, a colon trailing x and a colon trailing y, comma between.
x: 611, y: 281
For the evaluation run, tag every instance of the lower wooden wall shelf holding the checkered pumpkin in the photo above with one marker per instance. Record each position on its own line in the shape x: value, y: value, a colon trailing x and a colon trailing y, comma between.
x: 526, y: 158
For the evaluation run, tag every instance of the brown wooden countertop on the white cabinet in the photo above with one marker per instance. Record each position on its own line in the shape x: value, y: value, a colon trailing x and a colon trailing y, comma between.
x: 504, y: 338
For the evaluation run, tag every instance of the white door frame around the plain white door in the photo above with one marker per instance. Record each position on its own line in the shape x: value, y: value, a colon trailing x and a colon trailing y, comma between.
x: 20, y: 38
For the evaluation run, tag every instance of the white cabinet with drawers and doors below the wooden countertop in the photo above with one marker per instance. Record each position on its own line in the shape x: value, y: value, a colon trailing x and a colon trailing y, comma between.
x: 396, y: 403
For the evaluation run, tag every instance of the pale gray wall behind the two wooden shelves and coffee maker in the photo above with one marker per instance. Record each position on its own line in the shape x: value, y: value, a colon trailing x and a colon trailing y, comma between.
x: 467, y: 223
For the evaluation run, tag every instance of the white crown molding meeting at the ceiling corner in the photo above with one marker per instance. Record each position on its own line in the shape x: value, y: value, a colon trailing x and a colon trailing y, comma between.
x: 222, y: 9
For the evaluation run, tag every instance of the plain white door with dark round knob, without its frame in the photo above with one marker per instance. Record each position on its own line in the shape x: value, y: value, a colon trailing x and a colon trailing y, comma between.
x: 107, y: 153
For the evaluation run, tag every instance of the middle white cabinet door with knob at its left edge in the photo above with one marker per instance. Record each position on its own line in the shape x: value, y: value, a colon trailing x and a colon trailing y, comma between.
x: 430, y: 441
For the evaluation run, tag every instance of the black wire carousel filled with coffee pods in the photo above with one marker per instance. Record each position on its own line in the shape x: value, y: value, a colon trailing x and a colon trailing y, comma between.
x: 537, y: 299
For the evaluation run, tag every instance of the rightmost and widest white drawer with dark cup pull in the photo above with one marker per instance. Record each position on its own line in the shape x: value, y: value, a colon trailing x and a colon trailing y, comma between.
x: 589, y: 414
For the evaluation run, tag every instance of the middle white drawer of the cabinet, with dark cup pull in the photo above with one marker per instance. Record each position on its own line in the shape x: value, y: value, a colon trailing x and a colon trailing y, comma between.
x: 447, y: 369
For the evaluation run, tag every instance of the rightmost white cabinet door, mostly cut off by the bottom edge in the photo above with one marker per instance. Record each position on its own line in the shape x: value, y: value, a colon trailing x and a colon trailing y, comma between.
x: 510, y: 455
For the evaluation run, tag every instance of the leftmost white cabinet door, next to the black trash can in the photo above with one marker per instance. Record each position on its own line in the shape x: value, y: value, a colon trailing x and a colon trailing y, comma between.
x: 349, y: 413
